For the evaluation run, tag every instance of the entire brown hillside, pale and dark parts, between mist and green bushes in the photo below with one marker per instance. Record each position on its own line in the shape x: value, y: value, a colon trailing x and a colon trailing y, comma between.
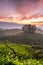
x: 18, y: 36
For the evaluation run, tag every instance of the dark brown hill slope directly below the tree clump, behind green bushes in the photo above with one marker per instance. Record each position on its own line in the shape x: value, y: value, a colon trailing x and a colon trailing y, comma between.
x: 26, y: 38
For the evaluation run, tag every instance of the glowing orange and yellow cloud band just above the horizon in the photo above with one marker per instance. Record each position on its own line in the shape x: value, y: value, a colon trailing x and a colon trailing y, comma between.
x: 36, y: 19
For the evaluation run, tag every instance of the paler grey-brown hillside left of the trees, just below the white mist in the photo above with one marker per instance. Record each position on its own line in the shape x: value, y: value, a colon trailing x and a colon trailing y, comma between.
x: 9, y: 32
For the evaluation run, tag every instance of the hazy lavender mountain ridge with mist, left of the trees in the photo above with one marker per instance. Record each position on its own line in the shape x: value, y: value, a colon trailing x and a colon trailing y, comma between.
x: 9, y: 25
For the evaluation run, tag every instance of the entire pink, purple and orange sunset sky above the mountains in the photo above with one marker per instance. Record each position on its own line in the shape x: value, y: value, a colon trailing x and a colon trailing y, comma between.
x: 22, y: 11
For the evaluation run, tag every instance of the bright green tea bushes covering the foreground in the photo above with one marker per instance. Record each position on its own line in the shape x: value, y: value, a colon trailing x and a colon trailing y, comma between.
x: 23, y: 55
